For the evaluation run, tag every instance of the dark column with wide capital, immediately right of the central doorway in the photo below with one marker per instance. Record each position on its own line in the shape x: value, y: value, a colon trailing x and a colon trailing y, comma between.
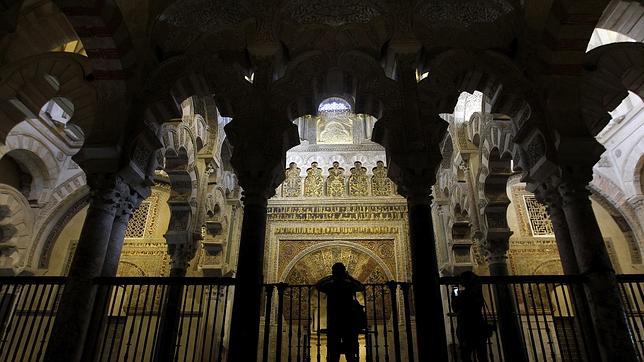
x: 413, y: 158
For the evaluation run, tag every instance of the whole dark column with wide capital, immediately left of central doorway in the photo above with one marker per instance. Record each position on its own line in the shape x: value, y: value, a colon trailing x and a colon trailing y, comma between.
x: 259, y: 160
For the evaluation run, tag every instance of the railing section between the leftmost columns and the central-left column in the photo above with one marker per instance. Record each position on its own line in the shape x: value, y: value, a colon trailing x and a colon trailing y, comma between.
x: 149, y: 316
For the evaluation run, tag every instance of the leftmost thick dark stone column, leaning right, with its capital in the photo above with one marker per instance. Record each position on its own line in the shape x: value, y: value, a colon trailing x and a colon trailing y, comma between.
x: 77, y: 301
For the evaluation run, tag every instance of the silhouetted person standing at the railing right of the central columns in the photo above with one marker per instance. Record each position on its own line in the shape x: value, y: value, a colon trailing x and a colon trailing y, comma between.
x: 472, y: 329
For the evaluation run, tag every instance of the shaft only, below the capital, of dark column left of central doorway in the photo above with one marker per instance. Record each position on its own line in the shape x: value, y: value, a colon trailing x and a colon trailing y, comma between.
x: 244, y: 328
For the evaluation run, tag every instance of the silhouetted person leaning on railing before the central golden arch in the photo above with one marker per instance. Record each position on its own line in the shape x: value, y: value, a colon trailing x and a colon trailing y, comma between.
x: 345, y: 316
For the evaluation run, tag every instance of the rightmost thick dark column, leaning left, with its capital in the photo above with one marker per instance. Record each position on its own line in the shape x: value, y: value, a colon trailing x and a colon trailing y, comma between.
x: 606, y: 309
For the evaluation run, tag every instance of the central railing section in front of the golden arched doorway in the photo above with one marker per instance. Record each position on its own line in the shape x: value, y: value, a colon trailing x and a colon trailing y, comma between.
x: 294, y: 327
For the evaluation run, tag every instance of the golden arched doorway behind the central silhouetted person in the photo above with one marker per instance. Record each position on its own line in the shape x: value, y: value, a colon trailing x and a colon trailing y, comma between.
x: 305, y: 309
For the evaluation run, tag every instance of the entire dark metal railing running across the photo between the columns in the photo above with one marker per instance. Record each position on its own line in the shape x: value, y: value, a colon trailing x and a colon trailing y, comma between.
x: 188, y: 318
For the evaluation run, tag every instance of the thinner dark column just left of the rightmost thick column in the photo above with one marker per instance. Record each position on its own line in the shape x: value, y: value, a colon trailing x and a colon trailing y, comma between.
x: 552, y: 199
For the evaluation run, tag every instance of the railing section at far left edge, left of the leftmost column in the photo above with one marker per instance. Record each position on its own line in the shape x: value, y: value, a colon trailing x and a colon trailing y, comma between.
x: 27, y: 309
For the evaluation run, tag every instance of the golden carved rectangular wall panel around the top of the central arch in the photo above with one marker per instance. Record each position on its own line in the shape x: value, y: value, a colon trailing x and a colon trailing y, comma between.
x: 370, y: 239
